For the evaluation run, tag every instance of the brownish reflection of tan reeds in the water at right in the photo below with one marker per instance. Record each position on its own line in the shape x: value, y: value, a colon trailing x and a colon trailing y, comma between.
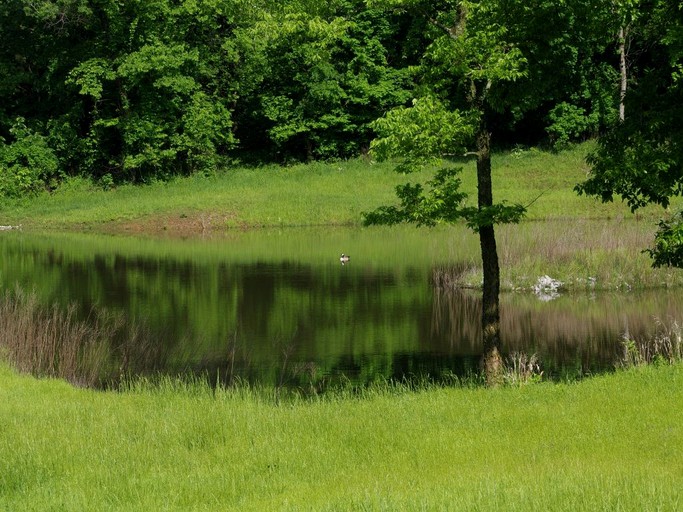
x: 572, y: 334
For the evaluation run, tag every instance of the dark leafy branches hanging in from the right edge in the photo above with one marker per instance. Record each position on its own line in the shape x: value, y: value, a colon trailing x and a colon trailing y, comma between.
x: 641, y: 157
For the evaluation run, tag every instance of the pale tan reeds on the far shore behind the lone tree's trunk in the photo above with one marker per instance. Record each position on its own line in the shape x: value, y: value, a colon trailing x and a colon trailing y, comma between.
x: 582, y: 254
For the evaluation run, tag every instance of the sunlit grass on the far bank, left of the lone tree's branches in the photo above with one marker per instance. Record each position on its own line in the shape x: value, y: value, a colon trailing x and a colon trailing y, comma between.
x: 303, y: 195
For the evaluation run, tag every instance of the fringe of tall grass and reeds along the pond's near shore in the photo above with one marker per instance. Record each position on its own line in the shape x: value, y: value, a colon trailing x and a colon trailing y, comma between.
x: 100, y: 351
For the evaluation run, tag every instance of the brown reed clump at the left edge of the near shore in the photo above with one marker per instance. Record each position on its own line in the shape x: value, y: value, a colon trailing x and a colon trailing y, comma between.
x: 52, y: 341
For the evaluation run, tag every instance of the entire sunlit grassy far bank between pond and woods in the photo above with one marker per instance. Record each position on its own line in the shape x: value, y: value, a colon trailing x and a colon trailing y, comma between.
x: 308, y: 194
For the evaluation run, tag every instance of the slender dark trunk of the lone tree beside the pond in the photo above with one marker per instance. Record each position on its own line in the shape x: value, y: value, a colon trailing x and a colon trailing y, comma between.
x: 492, y: 364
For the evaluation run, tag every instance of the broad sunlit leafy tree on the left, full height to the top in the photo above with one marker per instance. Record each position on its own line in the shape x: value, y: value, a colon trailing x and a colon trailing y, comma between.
x: 153, y: 87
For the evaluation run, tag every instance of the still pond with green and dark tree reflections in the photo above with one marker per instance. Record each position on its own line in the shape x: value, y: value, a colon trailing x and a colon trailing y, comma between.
x: 278, y: 306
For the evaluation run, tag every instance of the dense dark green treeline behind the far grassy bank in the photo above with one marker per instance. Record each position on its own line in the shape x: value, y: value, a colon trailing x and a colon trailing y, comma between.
x: 128, y: 91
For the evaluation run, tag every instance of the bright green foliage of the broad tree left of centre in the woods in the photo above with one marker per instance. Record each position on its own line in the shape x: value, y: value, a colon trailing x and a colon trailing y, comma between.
x: 149, y: 105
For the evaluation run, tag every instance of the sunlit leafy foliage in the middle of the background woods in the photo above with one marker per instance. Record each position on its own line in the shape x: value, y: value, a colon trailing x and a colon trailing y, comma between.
x: 325, y: 78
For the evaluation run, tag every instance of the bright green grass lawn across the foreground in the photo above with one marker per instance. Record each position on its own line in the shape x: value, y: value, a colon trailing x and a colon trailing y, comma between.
x: 609, y: 443
